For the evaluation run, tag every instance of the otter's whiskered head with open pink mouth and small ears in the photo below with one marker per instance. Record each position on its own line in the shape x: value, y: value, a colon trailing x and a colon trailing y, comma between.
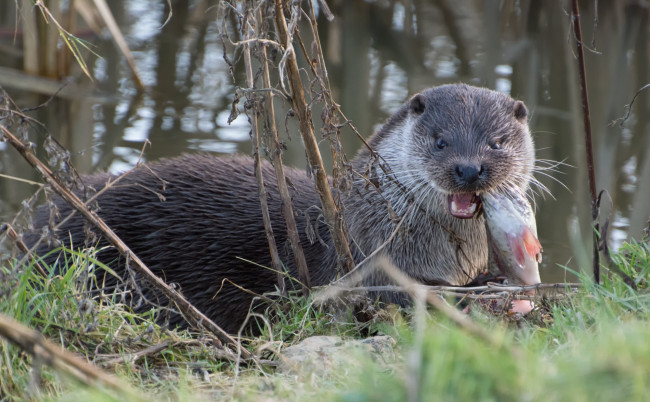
x: 466, y: 141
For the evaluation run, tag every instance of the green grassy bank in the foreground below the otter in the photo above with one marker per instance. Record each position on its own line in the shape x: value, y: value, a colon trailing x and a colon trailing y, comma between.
x: 591, y: 346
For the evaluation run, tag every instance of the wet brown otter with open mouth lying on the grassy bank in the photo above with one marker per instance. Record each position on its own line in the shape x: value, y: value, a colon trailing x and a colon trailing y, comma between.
x: 195, y: 220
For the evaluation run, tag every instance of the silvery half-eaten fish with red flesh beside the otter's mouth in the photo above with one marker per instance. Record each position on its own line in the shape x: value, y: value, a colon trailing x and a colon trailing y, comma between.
x: 513, y: 245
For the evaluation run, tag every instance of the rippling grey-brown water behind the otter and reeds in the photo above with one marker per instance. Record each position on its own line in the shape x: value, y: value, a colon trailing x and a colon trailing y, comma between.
x: 377, y: 54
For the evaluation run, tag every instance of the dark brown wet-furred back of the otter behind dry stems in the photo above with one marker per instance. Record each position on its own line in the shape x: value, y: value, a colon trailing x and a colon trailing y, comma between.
x: 193, y: 220
